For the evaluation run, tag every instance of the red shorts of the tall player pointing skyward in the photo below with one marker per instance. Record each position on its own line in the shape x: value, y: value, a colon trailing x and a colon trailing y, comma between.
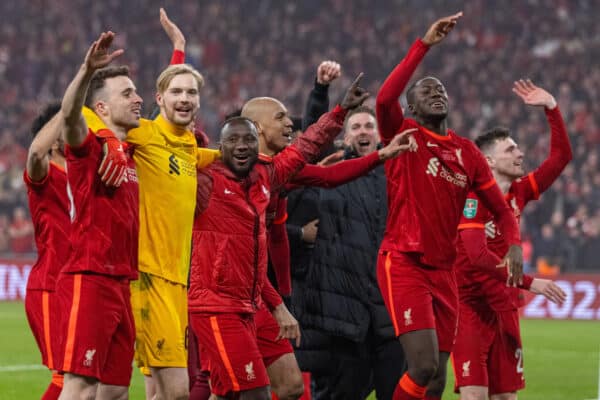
x: 418, y: 297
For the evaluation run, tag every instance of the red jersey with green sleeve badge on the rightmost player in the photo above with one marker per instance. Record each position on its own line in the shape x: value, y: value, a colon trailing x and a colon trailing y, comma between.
x: 475, y: 284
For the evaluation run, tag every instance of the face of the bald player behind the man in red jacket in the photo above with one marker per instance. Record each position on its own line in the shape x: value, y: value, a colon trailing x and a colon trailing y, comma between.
x: 275, y: 127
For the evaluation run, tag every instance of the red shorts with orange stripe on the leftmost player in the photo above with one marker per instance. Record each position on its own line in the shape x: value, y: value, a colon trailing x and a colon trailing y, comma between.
x: 43, y: 314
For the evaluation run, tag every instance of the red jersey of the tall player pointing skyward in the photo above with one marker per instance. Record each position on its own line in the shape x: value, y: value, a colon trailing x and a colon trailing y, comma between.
x: 427, y: 190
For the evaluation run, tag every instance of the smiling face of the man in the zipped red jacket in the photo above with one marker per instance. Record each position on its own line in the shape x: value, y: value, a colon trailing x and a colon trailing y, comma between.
x: 239, y: 147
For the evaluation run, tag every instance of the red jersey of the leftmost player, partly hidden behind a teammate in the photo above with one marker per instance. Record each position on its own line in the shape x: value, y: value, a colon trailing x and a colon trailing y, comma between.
x: 49, y: 208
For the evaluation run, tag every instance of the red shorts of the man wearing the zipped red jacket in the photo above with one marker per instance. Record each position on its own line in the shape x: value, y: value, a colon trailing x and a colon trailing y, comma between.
x: 229, y: 350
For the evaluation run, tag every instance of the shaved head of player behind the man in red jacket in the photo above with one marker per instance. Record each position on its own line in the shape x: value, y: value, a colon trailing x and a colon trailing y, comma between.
x: 273, y: 124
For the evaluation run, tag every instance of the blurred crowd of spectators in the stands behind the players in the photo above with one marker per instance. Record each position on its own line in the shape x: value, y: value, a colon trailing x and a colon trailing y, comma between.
x: 248, y: 48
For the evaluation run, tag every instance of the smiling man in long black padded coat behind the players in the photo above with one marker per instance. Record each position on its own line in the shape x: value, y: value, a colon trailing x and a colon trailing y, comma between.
x: 348, y: 339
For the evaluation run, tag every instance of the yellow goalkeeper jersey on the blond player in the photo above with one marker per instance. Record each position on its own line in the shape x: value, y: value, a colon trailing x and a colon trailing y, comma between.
x: 166, y: 159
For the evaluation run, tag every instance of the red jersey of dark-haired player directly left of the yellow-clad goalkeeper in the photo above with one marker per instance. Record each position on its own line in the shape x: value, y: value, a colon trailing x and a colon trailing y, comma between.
x: 104, y: 230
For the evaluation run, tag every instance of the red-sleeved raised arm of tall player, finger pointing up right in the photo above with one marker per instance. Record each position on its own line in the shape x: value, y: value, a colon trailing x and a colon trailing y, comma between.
x: 389, y: 112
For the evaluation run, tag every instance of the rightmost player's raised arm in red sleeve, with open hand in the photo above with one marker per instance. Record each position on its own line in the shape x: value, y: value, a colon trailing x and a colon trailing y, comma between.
x: 560, y: 146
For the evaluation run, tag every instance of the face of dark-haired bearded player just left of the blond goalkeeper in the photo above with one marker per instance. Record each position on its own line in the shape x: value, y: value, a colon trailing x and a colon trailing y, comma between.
x: 123, y: 104
